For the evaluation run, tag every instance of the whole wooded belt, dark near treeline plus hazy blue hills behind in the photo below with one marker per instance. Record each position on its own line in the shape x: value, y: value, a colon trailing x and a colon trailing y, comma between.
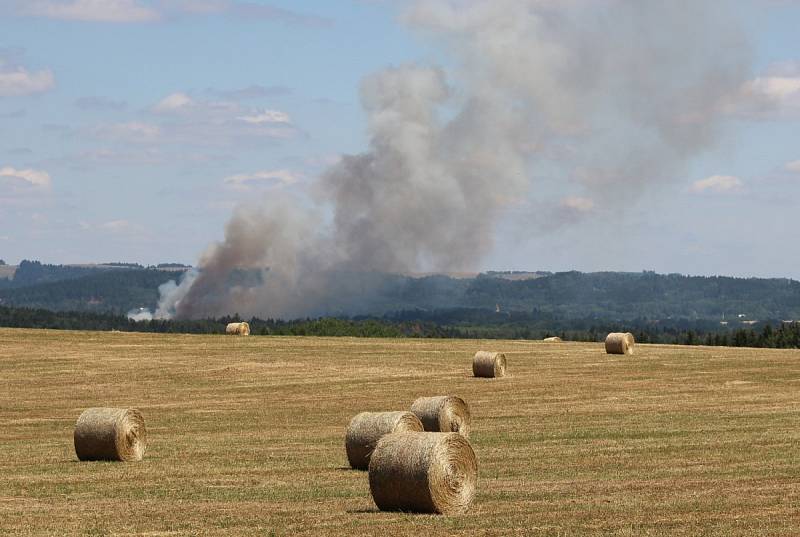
x: 573, y: 305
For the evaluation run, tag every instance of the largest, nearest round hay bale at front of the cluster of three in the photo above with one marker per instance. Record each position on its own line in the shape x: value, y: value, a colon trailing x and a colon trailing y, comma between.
x: 423, y: 473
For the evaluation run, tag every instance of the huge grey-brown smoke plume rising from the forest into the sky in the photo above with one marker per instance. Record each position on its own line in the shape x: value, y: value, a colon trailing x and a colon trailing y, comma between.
x: 608, y: 96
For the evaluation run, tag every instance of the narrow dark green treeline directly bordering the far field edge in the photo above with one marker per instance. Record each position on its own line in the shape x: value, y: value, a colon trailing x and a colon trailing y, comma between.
x: 470, y: 324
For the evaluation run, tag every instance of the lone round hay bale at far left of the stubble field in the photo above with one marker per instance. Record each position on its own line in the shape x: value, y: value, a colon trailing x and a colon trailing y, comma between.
x: 110, y: 434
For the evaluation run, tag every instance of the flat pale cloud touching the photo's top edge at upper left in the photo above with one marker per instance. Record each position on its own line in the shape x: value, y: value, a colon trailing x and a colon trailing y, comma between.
x: 119, y: 11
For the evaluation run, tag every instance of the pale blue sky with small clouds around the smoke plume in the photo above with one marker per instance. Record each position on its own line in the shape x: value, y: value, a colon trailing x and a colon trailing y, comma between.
x: 131, y: 130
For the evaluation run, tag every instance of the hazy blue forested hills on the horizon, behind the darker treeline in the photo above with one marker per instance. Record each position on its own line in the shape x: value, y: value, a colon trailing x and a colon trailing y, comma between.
x: 572, y: 297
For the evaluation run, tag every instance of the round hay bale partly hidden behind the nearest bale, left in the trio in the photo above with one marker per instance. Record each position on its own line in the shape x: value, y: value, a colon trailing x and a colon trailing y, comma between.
x: 366, y: 428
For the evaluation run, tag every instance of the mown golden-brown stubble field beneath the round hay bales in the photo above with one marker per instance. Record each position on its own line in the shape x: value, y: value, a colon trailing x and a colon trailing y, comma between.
x: 246, y: 436
